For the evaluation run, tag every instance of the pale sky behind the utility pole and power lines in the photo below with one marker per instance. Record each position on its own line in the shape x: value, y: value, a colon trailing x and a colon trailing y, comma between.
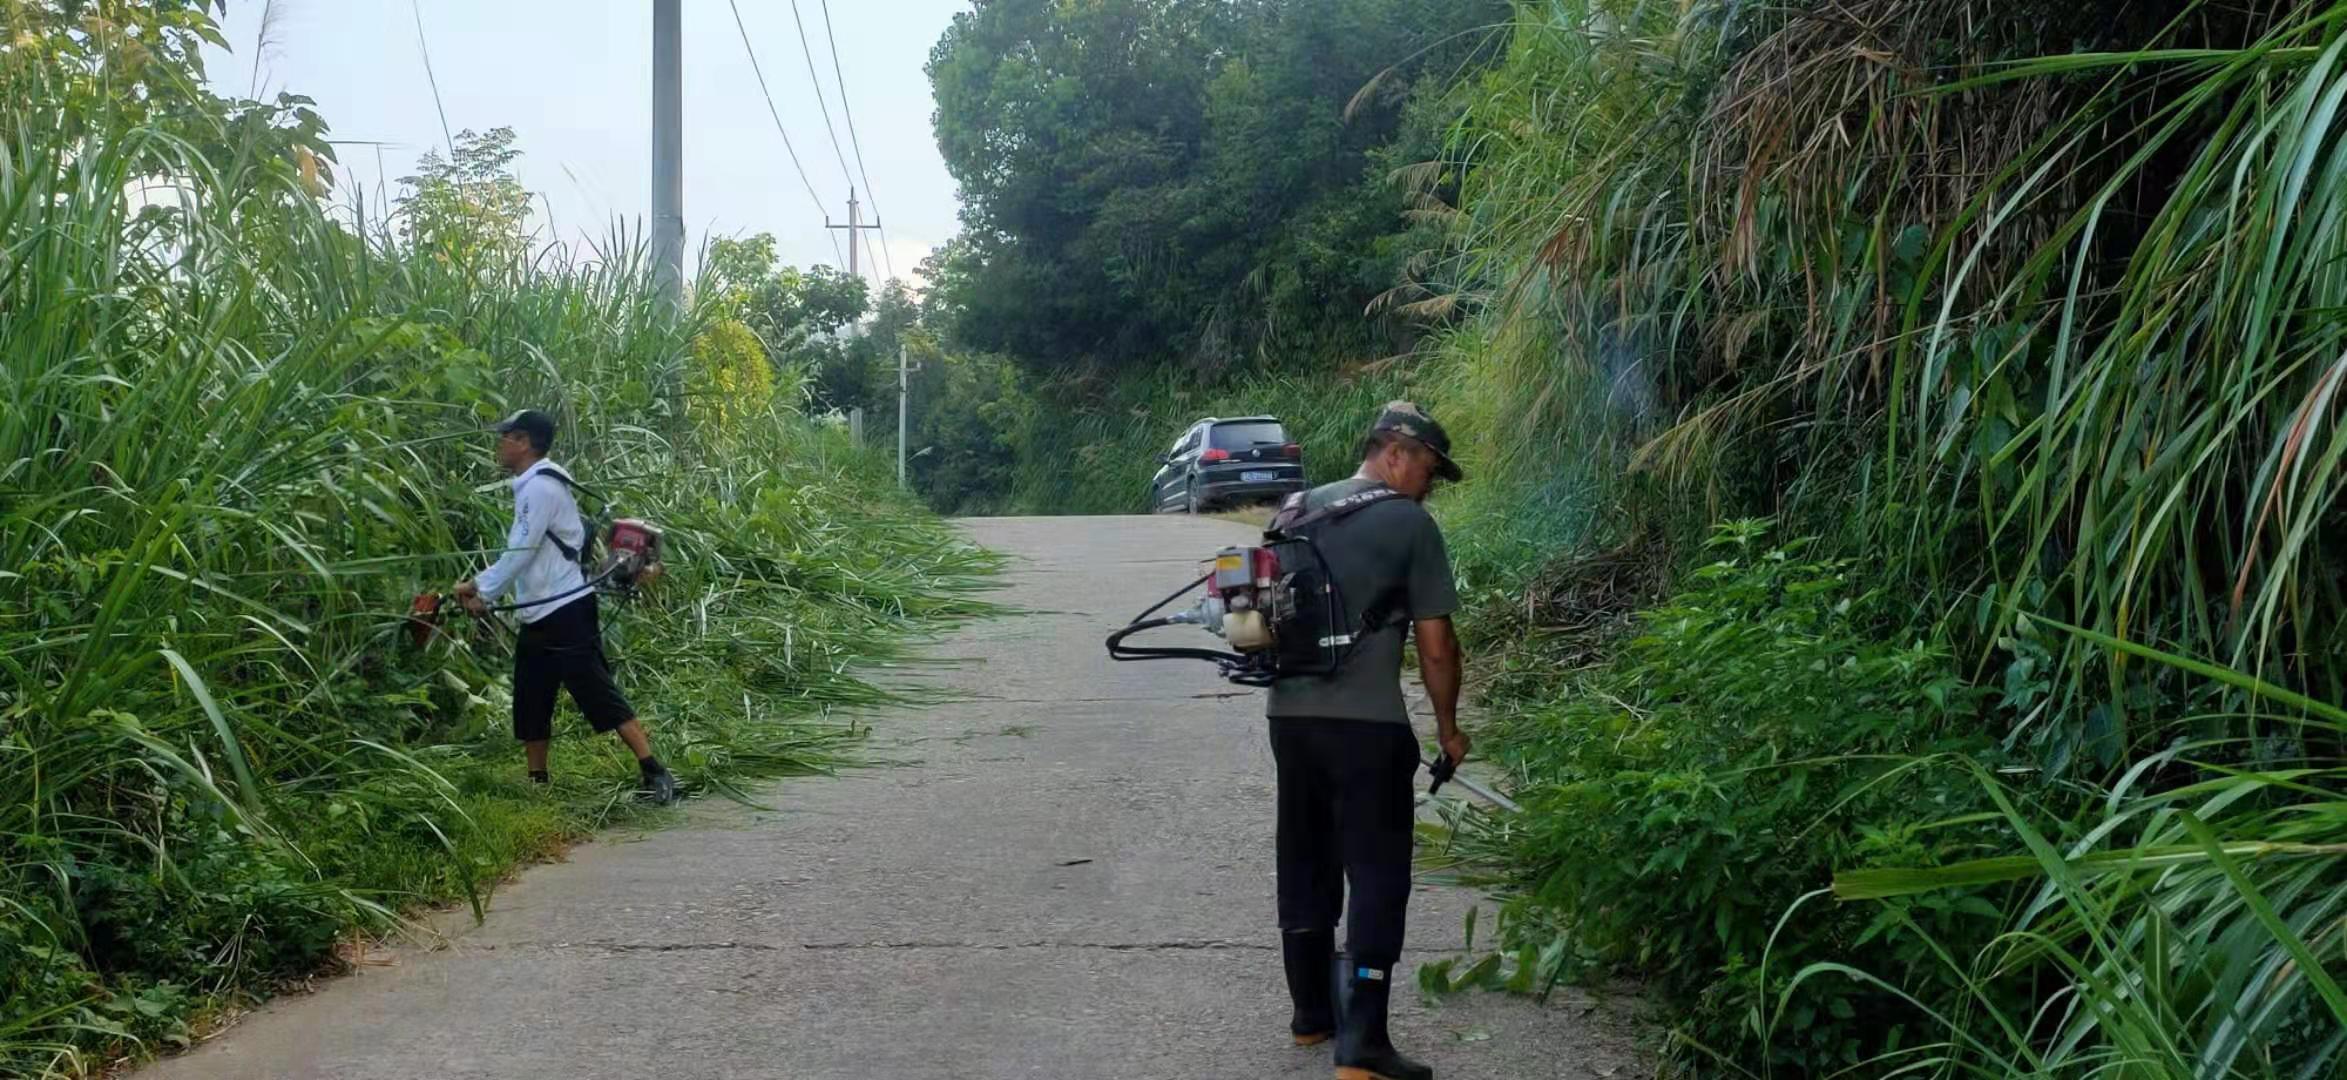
x: 574, y: 83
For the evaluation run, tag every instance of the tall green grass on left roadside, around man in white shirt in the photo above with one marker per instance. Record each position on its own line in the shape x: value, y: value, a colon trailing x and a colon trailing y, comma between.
x: 236, y: 438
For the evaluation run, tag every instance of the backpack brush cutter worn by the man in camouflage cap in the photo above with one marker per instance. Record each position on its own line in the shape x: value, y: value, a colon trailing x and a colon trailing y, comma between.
x: 1280, y: 612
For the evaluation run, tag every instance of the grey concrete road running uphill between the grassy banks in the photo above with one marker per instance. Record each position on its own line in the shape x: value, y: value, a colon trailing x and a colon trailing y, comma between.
x: 1067, y: 877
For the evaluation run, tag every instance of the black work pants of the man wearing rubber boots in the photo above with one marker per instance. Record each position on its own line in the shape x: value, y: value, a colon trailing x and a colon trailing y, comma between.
x: 1346, y: 816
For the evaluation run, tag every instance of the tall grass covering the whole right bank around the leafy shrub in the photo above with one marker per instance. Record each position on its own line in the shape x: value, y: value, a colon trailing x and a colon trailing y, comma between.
x: 2043, y: 344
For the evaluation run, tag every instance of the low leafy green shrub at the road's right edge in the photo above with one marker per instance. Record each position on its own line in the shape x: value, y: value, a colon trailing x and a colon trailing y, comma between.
x: 1759, y: 731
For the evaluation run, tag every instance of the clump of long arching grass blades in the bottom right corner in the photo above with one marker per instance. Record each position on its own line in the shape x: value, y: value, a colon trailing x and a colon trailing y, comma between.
x: 2191, y: 931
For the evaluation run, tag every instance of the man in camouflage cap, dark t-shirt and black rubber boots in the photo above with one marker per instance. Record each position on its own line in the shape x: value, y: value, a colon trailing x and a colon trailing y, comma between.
x: 1346, y: 750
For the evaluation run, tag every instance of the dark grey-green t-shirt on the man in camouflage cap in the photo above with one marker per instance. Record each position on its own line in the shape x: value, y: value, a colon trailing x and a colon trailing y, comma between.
x: 1393, y: 555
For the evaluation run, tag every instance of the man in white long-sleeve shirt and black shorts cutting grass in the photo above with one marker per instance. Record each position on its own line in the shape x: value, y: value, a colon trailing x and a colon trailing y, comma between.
x: 562, y: 637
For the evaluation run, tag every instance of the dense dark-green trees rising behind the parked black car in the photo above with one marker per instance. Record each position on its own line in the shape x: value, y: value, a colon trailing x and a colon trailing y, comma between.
x: 1184, y: 180
